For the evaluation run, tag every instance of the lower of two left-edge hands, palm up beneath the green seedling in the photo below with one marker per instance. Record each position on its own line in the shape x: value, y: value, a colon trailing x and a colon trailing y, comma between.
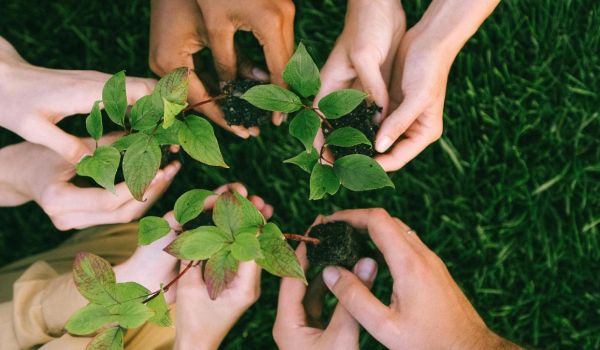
x: 33, y: 172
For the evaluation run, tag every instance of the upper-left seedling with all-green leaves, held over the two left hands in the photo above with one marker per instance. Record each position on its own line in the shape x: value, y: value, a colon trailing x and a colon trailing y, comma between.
x: 155, y: 120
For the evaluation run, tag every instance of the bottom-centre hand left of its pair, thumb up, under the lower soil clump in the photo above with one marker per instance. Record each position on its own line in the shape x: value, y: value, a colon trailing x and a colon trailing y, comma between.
x: 297, y: 309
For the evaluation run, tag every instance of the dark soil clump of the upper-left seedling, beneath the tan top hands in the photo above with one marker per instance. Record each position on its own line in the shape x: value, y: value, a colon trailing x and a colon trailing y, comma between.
x: 238, y: 111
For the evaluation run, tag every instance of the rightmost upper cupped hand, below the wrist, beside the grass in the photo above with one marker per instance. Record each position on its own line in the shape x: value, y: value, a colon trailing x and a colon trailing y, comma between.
x: 417, y: 93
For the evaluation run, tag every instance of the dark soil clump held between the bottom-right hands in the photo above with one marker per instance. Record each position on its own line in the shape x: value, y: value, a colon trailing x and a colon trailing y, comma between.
x: 340, y: 245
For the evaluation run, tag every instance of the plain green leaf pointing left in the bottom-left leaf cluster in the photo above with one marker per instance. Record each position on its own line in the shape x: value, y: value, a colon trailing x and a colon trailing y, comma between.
x: 89, y: 319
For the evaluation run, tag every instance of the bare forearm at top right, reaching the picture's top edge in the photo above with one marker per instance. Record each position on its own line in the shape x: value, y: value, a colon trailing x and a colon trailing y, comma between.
x: 448, y: 24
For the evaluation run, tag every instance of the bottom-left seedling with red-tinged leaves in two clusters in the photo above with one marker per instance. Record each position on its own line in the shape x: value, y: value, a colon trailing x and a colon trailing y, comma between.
x: 239, y: 233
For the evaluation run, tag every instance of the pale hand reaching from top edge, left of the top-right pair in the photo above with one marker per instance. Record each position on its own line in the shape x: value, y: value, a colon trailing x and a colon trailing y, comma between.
x: 363, y: 55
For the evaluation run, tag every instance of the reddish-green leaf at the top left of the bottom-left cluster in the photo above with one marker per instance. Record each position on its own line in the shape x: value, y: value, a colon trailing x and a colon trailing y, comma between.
x: 94, y: 279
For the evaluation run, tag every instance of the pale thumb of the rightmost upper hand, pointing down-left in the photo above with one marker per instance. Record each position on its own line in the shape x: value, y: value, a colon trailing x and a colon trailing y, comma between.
x: 398, y: 122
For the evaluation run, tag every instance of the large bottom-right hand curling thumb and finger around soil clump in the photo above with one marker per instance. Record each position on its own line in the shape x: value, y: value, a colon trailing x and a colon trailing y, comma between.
x: 425, y: 301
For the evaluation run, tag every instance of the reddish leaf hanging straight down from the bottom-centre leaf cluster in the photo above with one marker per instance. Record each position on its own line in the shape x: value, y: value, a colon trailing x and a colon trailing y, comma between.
x: 219, y: 270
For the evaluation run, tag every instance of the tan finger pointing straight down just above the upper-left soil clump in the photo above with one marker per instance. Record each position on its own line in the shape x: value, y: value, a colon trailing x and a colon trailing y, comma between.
x: 223, y: 51
